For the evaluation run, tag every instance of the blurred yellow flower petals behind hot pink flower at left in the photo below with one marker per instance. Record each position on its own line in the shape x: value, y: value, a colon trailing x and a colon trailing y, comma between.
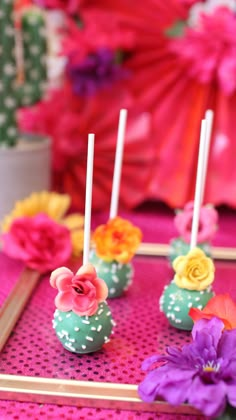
x: 55, y: 206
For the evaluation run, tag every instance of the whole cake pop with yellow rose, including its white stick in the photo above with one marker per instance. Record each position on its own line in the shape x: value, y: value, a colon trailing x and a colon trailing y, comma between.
x: 191, y: 286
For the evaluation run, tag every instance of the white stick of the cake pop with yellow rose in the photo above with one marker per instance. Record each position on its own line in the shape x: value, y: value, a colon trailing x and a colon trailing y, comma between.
x: 198, y: 188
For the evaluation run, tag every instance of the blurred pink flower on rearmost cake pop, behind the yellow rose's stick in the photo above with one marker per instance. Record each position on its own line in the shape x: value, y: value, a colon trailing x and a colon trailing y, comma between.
x: 207, y: 222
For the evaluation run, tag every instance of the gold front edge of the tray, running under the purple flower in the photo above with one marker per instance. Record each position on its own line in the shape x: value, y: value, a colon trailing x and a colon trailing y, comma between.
x: 82, y: 393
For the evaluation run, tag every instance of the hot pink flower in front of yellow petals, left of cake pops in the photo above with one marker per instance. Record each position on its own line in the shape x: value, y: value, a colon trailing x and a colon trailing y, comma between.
x: 38, y: 241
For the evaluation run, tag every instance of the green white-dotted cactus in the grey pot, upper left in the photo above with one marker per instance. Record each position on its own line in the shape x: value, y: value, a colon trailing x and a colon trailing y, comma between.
x: 12, y: 94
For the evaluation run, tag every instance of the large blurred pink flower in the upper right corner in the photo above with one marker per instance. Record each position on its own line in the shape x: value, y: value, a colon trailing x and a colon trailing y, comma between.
x: 209, y: 49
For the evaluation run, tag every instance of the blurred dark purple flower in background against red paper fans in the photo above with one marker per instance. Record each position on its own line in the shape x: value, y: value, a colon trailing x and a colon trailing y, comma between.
x: 97, y: 71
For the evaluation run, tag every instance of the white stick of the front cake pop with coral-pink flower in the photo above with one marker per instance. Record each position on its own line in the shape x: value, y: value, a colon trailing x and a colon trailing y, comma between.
x: 88, y: 198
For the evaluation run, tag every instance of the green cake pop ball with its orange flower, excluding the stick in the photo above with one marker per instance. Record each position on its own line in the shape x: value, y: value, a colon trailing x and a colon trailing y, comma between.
x: 115, y: 245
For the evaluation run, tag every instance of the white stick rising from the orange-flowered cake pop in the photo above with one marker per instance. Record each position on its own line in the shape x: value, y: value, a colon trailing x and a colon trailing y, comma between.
x: 118, y: 164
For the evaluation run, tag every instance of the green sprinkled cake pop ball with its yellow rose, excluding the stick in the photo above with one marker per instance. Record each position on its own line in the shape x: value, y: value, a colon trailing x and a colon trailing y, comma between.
x: 191, y: 287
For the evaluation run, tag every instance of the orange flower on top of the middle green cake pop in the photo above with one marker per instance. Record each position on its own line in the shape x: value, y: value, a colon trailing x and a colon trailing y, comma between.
x: 117, y: 240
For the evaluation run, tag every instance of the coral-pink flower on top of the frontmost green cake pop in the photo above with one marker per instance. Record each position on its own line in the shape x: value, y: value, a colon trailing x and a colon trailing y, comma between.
x: 80, y: 293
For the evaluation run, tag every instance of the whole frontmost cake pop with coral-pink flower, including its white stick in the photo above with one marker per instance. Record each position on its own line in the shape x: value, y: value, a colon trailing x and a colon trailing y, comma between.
x: 82, y: 320
